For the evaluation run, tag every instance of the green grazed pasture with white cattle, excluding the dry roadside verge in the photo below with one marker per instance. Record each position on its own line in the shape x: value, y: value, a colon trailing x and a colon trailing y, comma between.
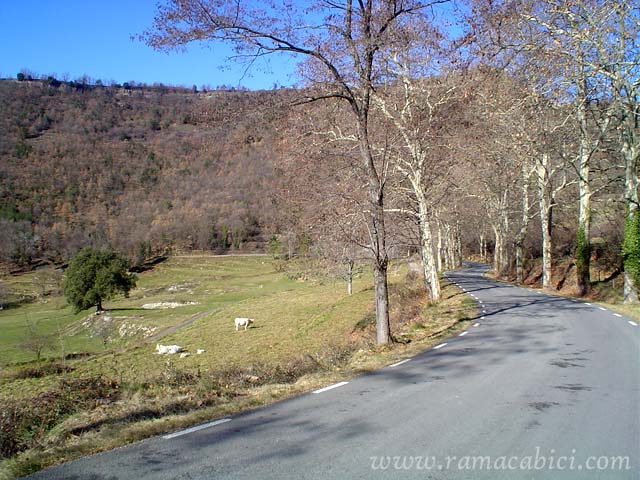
x: 291, y: 316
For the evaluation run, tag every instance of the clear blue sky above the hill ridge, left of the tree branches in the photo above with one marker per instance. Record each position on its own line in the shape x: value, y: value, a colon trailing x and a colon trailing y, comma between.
x: 93, y: 37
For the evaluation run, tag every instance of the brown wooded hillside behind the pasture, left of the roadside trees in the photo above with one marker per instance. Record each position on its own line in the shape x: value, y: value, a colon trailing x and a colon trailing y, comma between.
x: 142, y: 170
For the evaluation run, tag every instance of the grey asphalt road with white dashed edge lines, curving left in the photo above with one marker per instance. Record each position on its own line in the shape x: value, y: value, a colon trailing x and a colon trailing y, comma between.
x: 540, y: 387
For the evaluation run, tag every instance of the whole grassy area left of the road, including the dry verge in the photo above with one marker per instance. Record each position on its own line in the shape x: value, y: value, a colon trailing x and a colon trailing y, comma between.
x: 306, y: 333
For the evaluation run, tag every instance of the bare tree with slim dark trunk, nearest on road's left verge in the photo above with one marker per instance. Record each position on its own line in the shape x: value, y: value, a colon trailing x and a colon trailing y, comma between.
x: 340, y: 42
